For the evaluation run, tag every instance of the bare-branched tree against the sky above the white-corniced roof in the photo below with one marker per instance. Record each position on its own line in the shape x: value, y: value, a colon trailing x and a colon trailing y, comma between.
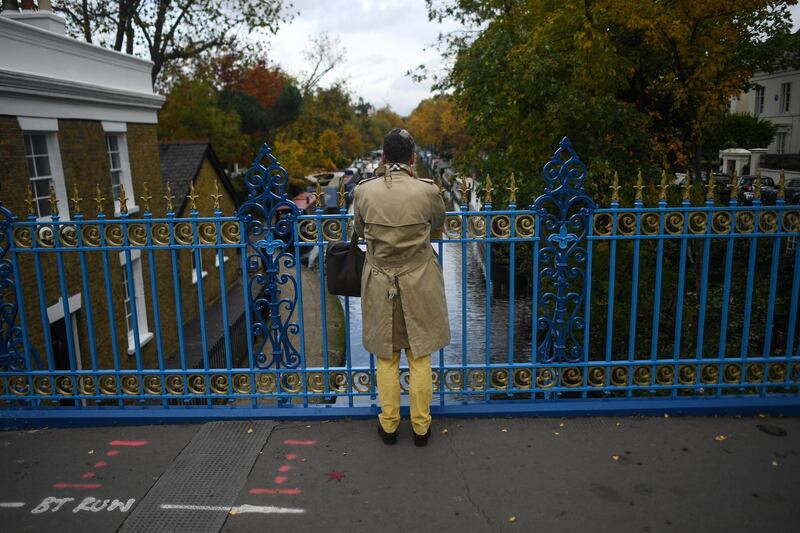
x: 171, y: 31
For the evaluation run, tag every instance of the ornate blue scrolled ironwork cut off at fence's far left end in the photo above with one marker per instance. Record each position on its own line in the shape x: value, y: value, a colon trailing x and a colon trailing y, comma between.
x: 11, y: 342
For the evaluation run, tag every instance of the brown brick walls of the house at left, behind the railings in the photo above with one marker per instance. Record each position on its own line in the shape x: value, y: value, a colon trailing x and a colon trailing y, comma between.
x: 82, y: 146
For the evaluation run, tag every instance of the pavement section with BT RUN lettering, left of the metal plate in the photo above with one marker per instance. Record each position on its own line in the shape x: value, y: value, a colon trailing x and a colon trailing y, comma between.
x: 82, y: 479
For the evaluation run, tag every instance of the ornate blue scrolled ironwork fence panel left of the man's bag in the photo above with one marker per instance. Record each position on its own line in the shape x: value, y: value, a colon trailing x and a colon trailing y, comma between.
x: 268, y: 217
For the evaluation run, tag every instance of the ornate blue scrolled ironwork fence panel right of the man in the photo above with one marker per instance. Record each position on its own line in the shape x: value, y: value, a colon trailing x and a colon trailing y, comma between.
x: 564, y: 212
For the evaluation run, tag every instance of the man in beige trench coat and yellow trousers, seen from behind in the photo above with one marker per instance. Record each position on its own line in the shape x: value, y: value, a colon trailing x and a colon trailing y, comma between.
x: 402, y: 289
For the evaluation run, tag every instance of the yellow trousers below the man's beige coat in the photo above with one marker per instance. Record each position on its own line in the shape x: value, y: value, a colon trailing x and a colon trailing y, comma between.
x: 420, y: 391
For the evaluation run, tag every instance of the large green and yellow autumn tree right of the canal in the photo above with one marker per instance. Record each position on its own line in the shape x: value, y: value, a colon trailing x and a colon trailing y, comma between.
x: 632, y: 83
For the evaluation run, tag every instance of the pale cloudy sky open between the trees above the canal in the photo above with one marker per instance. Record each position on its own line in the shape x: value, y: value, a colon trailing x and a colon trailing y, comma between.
x: 382, y: 40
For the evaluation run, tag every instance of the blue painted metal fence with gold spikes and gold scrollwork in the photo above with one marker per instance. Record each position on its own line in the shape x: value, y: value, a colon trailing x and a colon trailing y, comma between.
x: 632, y: 309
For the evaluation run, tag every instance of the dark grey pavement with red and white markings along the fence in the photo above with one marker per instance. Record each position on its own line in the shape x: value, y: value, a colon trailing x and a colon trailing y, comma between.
x: 637, y: 474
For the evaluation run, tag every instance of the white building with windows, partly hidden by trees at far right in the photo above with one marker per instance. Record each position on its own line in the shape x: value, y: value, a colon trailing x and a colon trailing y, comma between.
x: 777, y: 99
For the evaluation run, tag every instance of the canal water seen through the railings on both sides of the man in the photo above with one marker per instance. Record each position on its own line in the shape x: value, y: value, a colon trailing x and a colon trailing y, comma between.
x: 476, y: 311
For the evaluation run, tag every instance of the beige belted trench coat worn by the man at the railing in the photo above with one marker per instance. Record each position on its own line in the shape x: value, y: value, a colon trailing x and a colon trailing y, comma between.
x: 402, y: 289
